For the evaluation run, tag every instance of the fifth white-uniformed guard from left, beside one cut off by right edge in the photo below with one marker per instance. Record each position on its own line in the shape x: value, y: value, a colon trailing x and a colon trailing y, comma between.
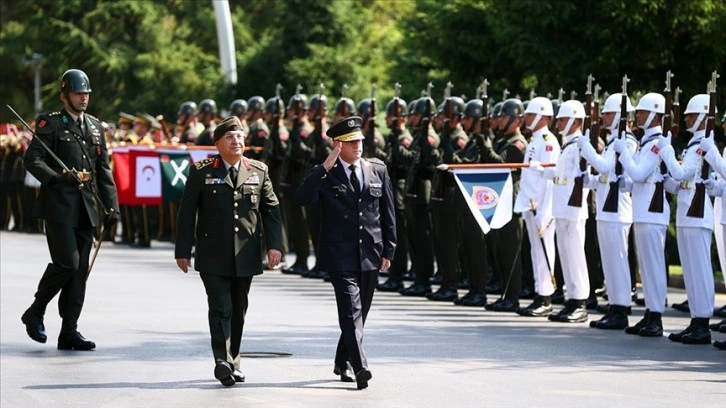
x: 693, y: 233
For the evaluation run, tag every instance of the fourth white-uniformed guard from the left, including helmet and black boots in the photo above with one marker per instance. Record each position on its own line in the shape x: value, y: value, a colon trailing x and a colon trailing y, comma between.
x: 649, y: 227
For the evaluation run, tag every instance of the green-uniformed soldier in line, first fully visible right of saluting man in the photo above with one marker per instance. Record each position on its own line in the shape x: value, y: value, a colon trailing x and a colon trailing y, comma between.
x: 399, y: 143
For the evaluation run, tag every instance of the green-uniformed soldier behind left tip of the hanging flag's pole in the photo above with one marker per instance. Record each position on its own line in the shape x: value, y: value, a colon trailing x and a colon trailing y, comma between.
x: 444, y: 198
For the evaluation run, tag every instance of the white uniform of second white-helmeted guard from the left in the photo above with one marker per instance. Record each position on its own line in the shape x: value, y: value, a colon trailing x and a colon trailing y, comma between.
x: 570, y: 221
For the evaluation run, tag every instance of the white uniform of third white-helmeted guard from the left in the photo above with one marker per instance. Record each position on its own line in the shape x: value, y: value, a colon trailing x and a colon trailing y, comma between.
x: 613, y: 228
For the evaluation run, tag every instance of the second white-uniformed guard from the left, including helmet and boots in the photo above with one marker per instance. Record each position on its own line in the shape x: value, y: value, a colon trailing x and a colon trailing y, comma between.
x: 570, y: 220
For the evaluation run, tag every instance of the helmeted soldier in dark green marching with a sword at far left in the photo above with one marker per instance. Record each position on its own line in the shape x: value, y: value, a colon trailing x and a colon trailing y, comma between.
x: 68, y: 203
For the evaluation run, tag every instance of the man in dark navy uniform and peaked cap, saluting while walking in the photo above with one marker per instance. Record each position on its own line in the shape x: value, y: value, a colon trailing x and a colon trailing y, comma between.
x: 357, y: 236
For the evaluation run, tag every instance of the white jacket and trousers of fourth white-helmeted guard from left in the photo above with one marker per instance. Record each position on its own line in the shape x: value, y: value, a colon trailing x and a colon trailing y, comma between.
x: 643, y: 168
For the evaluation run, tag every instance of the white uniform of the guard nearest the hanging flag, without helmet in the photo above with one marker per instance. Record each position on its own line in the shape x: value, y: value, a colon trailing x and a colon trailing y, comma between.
x: 536, y: 190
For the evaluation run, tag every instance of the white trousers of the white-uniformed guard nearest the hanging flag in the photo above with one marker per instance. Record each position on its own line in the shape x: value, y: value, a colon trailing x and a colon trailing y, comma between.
x: 542, y: 271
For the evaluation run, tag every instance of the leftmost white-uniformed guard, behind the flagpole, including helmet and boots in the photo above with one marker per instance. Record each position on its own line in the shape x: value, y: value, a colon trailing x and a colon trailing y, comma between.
x: 534, y: 202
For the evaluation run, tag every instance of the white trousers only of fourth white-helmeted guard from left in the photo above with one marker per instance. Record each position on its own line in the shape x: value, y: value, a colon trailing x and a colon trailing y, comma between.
x: 650, y: 246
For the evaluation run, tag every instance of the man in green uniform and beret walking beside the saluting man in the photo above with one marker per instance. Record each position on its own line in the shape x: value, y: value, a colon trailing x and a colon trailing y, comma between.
x: 228, y: 202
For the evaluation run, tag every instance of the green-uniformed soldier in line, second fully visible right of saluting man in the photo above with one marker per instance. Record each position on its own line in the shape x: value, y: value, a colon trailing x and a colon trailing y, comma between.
x: 418, y: 195
